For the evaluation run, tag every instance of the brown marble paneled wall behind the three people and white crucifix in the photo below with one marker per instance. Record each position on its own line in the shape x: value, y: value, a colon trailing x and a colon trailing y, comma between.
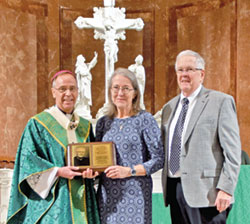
x: 39, y: 37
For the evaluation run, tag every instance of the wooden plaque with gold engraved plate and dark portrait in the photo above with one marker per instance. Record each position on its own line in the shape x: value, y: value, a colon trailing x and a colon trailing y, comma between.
x: 95, y: 155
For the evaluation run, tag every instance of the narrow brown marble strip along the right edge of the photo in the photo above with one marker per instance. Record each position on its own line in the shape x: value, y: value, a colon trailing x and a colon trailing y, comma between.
x: 243, y: 71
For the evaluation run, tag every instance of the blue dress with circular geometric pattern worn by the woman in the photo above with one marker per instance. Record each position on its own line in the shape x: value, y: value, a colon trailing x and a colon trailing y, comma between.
x: 138, y: 141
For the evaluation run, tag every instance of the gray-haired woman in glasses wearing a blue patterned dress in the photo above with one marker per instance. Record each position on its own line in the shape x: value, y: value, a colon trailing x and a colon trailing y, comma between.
x: 125, y: 190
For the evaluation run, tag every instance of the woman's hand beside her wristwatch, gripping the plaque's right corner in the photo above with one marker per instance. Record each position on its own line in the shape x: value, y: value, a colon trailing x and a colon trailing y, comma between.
x: 115, y: 172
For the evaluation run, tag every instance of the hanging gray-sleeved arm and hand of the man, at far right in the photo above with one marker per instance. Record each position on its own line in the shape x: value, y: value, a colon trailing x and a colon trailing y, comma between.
x: 228, y: 131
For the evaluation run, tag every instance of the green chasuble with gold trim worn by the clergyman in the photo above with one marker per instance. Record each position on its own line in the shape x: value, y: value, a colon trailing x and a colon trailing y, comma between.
x: 43, y: 147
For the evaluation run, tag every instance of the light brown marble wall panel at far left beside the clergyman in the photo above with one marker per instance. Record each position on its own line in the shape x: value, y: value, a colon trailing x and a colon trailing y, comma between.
x: 18, y: 75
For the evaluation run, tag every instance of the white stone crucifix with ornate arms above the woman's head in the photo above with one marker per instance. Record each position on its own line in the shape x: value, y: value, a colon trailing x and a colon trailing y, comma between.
x: 109, y: 24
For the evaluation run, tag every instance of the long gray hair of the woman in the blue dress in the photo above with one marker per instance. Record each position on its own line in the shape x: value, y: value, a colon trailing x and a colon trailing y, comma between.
x: 112, y: 110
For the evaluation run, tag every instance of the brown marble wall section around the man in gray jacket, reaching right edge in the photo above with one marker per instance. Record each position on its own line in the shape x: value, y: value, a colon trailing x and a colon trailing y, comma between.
x: 219, y: 31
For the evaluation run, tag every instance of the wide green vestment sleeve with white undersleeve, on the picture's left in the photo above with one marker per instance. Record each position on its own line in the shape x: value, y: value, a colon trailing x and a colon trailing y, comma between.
x: 37, y: 156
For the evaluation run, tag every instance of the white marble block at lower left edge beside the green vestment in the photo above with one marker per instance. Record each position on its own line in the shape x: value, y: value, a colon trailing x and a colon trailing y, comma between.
x: 5, y: 184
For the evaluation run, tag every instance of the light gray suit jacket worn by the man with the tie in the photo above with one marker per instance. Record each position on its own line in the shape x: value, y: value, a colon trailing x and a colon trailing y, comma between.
x: 211, y: 154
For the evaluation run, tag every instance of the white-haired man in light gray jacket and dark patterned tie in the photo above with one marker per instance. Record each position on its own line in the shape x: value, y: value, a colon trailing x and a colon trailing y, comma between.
x: 201, y: 188
